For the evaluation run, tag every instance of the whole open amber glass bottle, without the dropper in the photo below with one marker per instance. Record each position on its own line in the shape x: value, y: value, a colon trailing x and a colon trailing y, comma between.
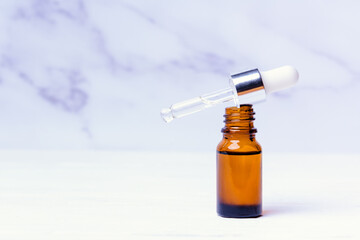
x: 239, y: 166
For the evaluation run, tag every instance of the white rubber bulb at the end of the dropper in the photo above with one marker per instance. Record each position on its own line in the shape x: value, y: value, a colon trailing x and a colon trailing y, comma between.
x: 279, y: 78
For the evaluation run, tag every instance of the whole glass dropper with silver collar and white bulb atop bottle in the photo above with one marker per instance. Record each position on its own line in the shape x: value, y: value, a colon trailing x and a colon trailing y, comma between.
x: 246, y: 87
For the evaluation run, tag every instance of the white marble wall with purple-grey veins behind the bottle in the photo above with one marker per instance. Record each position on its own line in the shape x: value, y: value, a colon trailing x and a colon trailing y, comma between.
x: 94, y: 74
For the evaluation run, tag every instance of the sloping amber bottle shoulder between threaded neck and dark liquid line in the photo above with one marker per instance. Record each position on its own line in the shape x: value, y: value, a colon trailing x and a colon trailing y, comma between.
x: 239, y: 145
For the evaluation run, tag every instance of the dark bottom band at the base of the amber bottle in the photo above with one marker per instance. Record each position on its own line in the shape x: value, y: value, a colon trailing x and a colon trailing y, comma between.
x: 239, y: 211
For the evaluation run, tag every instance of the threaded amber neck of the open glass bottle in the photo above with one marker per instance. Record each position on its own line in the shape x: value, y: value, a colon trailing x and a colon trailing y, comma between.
x: 239, y: 122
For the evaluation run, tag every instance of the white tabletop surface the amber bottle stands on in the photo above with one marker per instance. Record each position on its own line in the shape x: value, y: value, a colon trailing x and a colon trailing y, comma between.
x: 136, y: 195
